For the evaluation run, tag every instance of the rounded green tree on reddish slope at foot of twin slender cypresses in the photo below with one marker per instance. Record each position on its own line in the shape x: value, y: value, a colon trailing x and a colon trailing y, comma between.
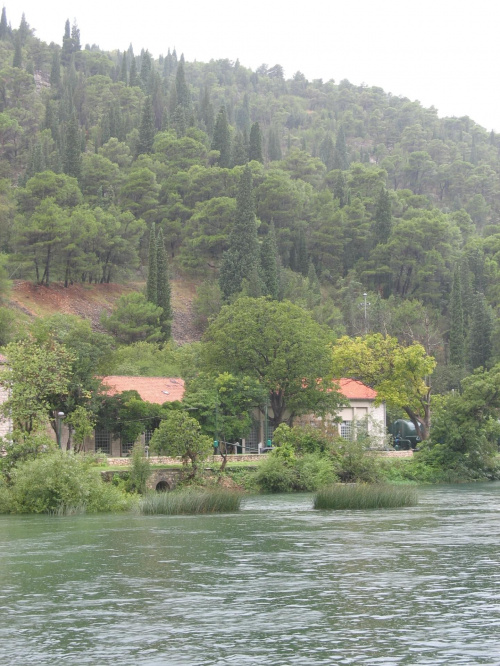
x: 134, y: 319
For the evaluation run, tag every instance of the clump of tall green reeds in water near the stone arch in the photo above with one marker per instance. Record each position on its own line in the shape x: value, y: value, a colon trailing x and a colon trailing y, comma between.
x: 190, y: 502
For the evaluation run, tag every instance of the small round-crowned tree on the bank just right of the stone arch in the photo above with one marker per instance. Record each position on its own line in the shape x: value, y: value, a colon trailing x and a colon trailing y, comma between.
x: 180, y: 435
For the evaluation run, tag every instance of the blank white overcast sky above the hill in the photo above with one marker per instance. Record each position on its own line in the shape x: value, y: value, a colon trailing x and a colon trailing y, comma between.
x: 444, y: 53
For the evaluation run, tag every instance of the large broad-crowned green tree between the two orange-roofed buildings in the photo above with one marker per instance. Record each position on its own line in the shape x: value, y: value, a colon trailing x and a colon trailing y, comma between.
x: 281, y: 346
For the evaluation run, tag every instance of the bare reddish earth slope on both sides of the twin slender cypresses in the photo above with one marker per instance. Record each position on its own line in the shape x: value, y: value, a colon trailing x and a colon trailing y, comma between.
x: 90, y: 301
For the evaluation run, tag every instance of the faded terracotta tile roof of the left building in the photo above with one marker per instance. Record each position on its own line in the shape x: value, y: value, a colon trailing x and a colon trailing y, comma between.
x: 151, y: 389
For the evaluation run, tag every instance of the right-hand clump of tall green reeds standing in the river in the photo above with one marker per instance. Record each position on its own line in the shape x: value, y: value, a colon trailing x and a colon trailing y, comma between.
x: 365, y: 496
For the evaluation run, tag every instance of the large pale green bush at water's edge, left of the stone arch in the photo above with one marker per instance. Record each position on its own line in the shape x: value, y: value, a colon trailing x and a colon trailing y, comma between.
x: 60, y: 482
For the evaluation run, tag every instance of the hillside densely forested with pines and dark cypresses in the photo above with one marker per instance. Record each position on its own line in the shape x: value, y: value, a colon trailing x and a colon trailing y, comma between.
x: 371, y: 212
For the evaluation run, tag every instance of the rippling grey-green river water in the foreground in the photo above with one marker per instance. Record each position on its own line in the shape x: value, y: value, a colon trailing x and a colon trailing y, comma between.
x: 277, y: 584
